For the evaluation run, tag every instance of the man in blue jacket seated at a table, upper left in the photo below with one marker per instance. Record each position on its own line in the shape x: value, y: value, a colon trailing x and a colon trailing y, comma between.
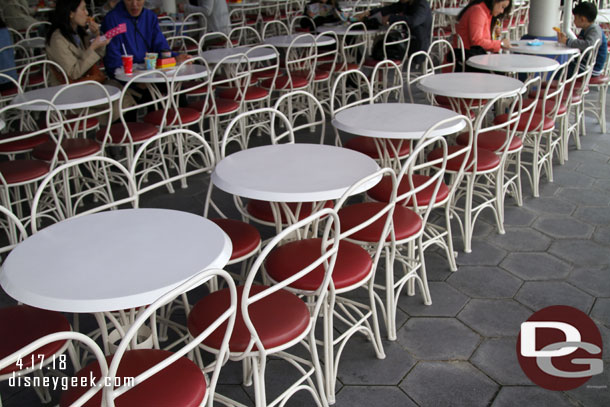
x: 143, y: 35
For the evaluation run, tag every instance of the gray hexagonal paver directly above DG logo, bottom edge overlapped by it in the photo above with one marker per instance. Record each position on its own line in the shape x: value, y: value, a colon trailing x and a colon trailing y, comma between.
x: 538, y: 294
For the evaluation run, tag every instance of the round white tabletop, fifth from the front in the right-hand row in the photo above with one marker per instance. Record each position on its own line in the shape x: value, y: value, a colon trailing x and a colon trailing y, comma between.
x: 518, y: 63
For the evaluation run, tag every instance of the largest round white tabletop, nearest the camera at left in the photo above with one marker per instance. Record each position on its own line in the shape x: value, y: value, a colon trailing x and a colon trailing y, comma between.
x: 112, y: 260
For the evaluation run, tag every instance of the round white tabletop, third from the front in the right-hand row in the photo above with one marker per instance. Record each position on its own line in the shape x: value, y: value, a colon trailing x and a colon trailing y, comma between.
x: 395, y: 120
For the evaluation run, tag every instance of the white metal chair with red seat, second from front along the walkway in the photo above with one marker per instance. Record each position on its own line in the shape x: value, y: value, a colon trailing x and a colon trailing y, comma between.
x: 273, y: 320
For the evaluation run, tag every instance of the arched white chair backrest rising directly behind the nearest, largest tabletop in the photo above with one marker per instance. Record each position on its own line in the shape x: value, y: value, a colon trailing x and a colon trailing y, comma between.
x: 80, y: 187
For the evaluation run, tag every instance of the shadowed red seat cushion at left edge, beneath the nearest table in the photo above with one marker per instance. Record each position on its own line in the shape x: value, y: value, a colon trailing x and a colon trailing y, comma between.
x: 22, y: 326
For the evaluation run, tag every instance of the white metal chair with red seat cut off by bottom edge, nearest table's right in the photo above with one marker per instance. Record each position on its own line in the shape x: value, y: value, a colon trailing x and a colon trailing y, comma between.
x: 169, y: 378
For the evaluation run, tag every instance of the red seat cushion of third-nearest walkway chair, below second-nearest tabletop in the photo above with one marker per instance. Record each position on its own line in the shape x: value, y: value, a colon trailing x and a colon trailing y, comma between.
x: 352, y: 266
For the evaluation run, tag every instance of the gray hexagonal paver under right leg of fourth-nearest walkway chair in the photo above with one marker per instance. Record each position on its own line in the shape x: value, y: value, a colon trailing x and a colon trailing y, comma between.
x: 446, y: 302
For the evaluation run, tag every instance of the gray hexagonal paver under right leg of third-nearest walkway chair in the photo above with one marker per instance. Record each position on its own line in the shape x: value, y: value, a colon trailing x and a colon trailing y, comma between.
x: 360, y: 366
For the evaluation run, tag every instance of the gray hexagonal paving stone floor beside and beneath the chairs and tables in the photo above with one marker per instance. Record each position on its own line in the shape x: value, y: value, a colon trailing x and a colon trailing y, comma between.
x: 461, y: 350
